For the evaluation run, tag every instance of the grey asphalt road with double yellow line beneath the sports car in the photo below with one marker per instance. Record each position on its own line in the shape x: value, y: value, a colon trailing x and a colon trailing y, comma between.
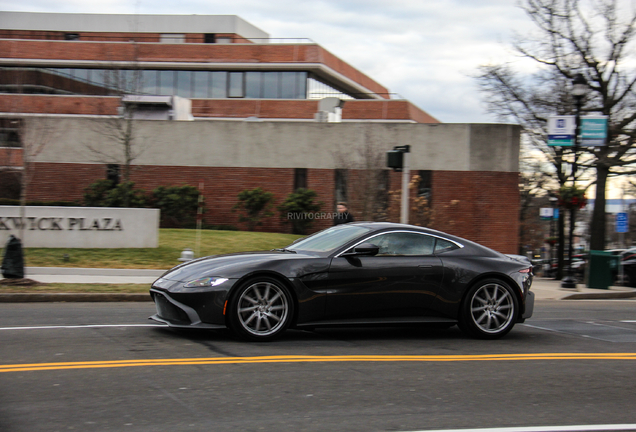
x: 104, y: 366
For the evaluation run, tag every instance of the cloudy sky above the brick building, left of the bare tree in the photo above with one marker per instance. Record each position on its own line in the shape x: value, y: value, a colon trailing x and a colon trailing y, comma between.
x: 425, y: 51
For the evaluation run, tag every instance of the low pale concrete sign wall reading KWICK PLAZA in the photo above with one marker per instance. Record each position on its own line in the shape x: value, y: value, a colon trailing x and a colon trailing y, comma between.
x: 81, y: 227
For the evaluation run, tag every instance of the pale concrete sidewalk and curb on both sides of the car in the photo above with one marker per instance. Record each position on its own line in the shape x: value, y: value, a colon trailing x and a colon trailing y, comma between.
x: 543, y: 288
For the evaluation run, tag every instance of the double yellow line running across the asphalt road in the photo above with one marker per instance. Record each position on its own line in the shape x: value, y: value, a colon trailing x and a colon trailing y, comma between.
x: 316, y: 359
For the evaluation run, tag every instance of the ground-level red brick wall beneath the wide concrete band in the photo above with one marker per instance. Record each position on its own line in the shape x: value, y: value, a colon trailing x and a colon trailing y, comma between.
x: 479, y: 206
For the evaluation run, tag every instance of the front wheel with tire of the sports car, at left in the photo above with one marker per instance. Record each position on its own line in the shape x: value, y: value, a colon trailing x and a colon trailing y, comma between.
x: 261, y: 309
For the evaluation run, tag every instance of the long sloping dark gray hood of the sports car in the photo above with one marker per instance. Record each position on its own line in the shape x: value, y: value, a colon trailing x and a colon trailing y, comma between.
x: 229, y: 266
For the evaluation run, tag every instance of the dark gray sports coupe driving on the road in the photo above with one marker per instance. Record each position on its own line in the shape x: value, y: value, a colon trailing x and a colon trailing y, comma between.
x: 354, y: 274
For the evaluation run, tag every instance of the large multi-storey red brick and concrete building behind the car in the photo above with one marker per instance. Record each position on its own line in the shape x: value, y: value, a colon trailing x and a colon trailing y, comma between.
x: 254, y: 101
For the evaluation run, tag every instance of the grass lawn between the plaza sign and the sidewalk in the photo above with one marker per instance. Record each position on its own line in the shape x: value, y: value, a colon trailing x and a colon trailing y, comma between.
x: 171, y: 243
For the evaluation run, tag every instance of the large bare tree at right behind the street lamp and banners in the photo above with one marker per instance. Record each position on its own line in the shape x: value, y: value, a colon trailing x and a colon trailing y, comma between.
x: 596, y: 39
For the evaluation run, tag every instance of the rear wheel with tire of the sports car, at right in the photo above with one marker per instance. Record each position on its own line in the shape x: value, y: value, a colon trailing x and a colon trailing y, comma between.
x: 489, y: 310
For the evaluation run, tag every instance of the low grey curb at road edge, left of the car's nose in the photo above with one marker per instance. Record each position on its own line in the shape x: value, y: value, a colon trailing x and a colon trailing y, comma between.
x: 72, y: 297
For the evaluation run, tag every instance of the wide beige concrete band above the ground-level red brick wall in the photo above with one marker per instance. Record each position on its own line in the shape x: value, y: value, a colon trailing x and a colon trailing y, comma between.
x: 446, y: 147
